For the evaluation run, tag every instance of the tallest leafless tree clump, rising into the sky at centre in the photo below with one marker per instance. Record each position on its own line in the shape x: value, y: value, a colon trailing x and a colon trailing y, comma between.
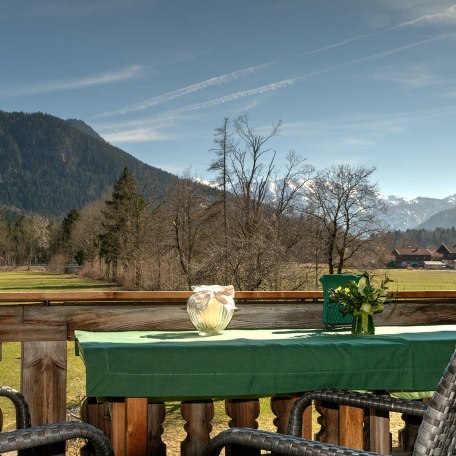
x: 261, y: 203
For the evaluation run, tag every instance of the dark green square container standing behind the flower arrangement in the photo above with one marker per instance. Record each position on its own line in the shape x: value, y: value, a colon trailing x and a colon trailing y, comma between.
x: 331, y: 314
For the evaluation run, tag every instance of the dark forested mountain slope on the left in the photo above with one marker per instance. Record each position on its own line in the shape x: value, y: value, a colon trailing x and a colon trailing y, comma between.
x: 49, y: 165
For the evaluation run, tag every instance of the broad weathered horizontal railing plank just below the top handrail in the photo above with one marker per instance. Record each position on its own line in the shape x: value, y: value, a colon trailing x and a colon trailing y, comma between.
x: 27, y: 322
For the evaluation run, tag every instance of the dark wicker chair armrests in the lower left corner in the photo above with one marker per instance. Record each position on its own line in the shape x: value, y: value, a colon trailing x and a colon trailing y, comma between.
x: 27, y: 437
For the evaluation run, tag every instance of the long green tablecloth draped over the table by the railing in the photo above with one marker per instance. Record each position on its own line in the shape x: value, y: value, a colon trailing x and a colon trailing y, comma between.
x: 180, y: 365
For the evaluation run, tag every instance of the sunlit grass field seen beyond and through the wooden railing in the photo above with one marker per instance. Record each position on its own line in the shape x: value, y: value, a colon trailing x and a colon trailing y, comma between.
x: 174, y: 433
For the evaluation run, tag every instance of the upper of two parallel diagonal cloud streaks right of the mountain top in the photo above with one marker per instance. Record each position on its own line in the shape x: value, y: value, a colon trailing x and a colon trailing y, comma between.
x: 172, y: 95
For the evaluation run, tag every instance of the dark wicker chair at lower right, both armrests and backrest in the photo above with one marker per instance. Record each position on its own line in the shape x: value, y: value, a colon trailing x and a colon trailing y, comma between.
x: 436, y: 435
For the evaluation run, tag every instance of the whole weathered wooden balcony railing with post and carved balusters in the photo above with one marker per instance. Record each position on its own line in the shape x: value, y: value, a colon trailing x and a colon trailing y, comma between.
x: 44, y: 322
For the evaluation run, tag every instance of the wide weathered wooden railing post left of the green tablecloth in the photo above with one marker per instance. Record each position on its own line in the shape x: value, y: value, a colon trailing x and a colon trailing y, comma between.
x: 43, y: 384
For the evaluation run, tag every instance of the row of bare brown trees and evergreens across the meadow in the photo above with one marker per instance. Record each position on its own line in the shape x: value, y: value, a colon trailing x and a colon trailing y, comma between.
x: 263, y: 227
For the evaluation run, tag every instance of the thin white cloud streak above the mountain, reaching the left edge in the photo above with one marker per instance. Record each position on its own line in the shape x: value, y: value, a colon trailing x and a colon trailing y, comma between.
x: 73, y: 84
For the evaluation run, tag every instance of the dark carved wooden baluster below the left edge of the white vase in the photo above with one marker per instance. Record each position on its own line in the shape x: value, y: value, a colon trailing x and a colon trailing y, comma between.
x: 198, y: 417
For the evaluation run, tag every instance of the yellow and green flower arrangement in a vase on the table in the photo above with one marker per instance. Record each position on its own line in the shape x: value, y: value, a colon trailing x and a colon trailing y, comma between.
x: 361, y: 298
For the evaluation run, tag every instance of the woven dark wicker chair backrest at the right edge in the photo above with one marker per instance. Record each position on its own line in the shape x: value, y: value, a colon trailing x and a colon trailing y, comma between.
x: 437, y: 432
